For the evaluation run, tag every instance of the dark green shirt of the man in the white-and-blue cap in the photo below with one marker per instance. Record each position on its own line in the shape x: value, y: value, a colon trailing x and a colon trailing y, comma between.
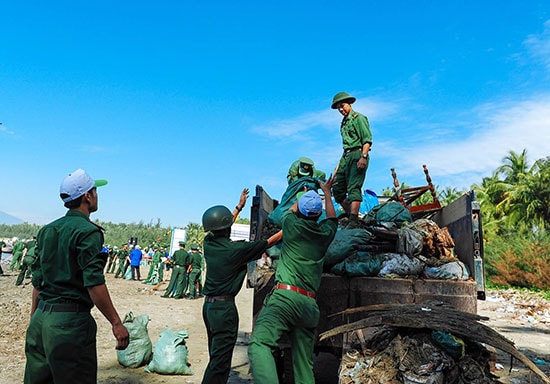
x: 69, y: 259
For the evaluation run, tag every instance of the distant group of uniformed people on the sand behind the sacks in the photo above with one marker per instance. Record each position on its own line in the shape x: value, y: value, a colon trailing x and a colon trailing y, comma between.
x: 185, y: 281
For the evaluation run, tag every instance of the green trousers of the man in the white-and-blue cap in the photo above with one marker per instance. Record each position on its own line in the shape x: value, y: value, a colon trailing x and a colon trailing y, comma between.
x: 60, y: 348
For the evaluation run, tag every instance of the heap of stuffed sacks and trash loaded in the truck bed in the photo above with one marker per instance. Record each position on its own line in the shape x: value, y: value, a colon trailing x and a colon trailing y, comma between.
x: 387, y: 243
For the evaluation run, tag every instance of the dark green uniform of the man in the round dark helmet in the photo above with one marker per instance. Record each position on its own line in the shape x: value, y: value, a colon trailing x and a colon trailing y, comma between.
x: 225, y: 272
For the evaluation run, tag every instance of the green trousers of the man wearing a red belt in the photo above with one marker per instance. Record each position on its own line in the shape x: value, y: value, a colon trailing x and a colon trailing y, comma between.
x: 284, y: 311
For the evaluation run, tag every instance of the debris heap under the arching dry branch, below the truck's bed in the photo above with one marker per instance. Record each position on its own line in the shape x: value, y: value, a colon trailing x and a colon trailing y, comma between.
x: 429, y: 342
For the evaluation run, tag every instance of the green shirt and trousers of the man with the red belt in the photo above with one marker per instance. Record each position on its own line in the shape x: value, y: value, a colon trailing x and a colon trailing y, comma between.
x: 300, y: 267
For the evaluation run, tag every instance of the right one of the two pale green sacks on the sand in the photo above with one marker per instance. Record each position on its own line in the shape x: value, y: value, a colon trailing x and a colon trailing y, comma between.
x: 170, y: 354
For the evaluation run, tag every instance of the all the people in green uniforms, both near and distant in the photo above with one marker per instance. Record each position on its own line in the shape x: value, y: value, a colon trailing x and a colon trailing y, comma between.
x: 68, y: 273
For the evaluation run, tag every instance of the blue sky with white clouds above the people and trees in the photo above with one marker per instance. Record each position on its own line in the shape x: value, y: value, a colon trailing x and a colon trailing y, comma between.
x: 182, y: 104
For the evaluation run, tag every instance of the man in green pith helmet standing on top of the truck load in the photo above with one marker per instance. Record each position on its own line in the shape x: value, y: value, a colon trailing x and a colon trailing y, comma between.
x: 352, y: 168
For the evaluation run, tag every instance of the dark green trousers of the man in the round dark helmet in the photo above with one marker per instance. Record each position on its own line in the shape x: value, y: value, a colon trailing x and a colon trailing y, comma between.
x: 222, y: 326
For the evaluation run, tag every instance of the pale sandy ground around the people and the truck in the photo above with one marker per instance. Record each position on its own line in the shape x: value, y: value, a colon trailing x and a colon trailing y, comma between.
x: 509, y: 314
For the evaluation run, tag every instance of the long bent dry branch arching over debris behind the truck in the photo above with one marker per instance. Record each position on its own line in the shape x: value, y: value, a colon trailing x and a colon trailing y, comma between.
x: 437, y: 317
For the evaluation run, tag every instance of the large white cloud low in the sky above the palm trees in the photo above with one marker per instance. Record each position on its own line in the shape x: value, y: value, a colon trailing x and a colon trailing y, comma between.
x: 501, y: 127
